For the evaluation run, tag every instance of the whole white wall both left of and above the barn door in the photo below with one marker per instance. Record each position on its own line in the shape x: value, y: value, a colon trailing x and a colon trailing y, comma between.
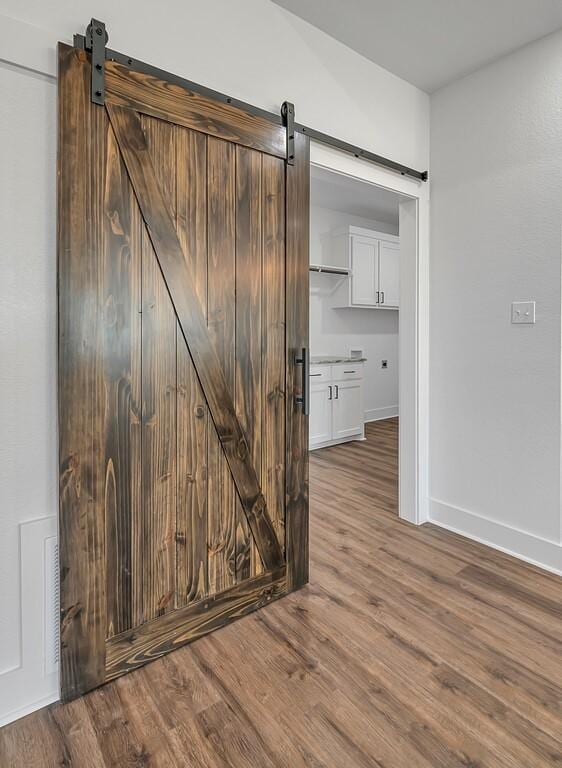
x: 251, y: 49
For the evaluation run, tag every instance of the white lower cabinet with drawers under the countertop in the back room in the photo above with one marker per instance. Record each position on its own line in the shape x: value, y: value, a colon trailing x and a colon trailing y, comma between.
x: 336, y: 404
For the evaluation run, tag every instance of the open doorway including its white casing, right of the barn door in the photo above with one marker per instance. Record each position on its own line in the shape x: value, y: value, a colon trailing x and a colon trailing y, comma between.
x: 369, y: 299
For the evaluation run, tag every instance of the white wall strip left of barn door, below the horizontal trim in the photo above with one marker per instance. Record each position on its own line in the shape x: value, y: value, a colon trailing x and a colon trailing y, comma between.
x: 28, y: 422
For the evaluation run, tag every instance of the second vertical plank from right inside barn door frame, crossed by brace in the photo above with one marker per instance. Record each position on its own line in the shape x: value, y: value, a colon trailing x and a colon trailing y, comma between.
x: 248, y: 400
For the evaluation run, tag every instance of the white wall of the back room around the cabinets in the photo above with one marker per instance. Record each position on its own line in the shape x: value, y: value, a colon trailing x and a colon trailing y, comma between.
x: 336, y: 331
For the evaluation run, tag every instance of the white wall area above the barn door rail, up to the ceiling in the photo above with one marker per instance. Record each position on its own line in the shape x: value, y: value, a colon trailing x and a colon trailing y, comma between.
x: 256, y: 51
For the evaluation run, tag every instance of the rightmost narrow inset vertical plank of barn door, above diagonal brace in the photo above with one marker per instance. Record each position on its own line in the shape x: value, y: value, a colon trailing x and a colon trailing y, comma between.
x: 273, y: 342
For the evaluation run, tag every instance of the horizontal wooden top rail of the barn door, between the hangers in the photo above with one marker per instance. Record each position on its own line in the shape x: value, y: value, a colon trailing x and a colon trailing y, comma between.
x: 151, y: 96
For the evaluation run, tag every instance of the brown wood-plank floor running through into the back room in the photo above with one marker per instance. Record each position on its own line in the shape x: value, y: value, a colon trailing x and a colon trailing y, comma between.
x: 410, y: 648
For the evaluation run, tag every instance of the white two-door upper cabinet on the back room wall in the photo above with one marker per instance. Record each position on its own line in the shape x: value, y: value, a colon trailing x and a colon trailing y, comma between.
x: 373, y: 259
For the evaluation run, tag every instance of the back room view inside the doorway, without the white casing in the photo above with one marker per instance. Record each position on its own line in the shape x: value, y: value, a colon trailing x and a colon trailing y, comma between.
x: 354, y: 330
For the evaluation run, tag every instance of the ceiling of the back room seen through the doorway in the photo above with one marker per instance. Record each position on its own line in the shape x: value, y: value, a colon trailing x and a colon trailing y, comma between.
x: 340, y: 193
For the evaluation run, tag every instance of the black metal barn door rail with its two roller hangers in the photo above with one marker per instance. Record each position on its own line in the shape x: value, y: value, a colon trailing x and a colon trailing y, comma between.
x: 286, y: 116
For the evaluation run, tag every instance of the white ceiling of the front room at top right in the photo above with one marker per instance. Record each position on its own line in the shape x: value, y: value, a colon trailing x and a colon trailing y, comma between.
x: 431, y: 42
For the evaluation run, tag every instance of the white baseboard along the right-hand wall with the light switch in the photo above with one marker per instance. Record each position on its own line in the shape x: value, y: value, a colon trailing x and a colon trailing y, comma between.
x: 536, y: 550
